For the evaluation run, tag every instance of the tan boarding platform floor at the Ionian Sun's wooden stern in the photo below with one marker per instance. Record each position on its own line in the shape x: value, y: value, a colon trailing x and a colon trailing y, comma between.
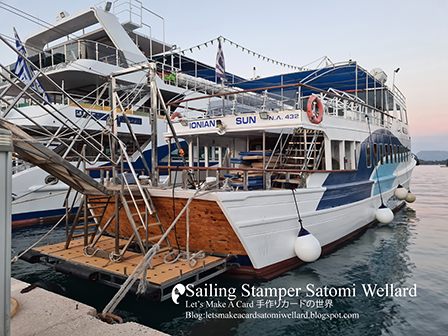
x: 162, y: 276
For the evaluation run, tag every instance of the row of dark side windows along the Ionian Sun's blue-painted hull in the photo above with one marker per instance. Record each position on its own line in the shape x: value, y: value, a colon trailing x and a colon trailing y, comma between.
x: 386, y: 154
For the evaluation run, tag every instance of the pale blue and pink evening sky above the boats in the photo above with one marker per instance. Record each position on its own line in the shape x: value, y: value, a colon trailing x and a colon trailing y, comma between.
x: 410, y: 35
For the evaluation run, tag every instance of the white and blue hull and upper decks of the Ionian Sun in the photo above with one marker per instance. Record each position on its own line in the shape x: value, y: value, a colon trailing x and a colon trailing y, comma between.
x: 338, y: 136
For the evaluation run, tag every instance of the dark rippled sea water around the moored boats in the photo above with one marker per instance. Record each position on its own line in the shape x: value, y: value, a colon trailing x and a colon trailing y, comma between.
x: 390, y: 280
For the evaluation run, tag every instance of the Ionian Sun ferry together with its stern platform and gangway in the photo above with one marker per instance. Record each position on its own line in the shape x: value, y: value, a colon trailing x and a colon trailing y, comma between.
x: 305, y: 161
